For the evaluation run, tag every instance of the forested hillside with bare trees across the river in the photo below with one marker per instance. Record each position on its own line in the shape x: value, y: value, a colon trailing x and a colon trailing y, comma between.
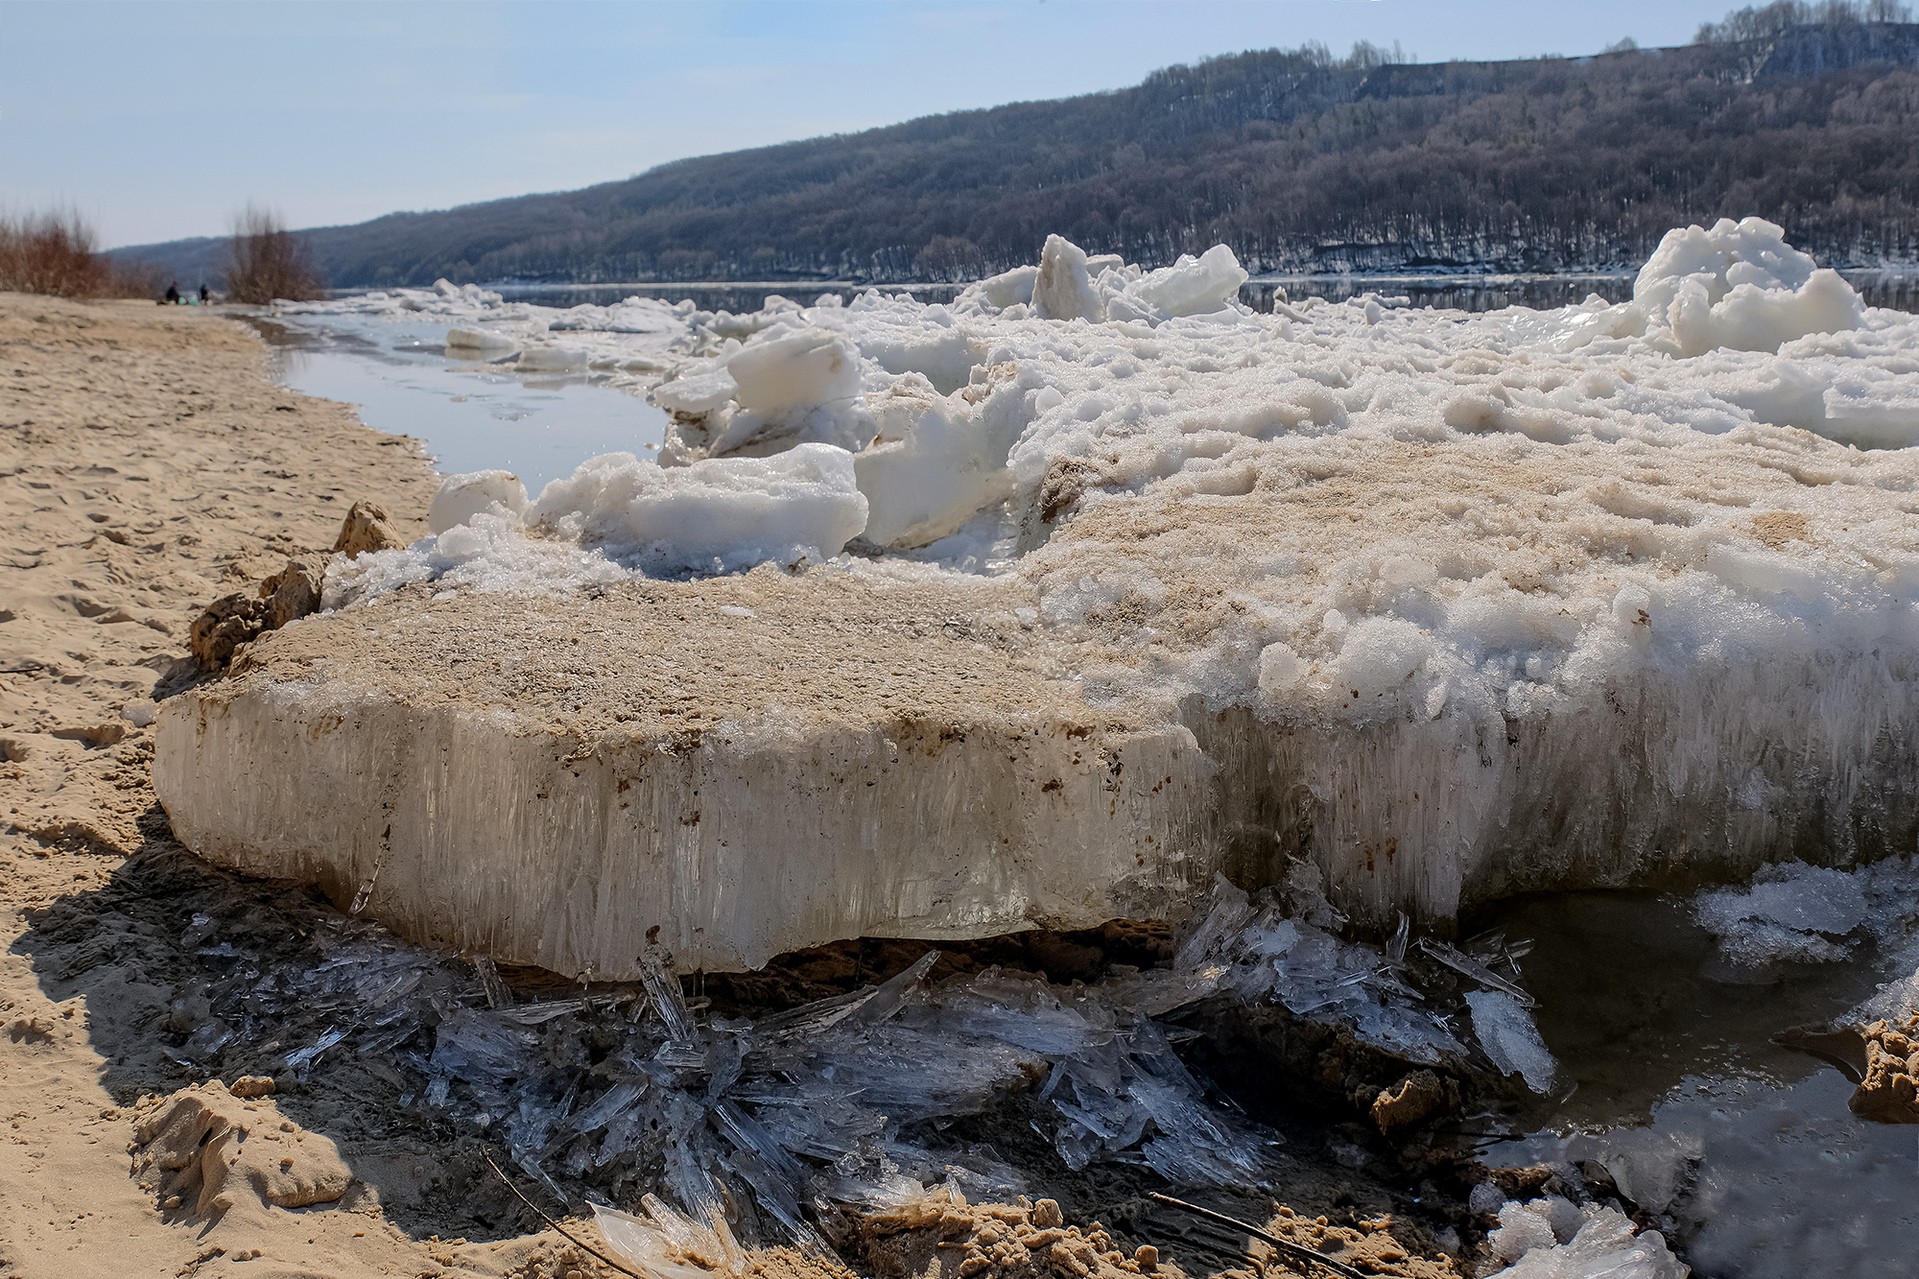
x: 1292, y: 158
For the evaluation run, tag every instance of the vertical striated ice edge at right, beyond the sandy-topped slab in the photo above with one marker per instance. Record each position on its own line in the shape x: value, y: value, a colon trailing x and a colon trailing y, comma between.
x: 1665, y: 777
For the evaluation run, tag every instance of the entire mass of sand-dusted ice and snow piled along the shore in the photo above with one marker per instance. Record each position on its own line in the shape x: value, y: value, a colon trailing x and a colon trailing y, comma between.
x: 1452, y: 606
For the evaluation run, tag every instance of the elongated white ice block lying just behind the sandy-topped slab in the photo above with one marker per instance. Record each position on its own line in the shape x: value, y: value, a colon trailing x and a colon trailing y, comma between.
x: 715, y: 516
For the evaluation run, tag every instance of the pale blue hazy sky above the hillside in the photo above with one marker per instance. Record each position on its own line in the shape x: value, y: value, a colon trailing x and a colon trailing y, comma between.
x: 160, y: 120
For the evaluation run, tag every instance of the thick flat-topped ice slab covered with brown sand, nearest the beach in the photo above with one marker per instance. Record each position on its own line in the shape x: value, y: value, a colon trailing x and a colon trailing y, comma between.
x: 732, y: 781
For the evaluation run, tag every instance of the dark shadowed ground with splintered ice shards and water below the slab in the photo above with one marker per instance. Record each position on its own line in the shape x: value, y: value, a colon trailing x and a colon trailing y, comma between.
x: 1089, y: 1069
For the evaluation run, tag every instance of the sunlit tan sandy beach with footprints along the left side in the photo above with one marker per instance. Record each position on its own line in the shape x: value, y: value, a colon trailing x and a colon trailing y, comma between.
x: 149, y: 466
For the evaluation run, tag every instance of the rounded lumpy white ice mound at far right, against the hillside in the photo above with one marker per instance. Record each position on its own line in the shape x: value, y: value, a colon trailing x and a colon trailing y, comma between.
x: 1741, y: 287
